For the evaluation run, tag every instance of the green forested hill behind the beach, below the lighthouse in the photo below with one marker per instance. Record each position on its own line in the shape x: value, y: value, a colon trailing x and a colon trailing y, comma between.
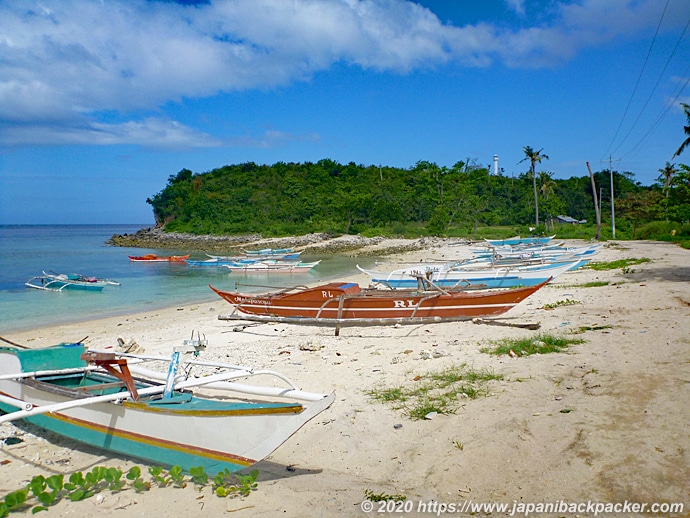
x: 298, y: 198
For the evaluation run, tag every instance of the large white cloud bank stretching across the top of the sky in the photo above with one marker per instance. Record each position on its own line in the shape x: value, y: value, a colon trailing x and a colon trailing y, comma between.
x: 63, y: 63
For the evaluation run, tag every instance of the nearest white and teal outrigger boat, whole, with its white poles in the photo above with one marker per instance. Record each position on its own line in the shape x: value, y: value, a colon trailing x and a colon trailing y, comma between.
x: 109, y: 401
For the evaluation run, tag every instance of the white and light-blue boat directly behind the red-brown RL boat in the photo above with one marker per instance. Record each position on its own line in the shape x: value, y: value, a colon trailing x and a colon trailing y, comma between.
x: 471, y: 277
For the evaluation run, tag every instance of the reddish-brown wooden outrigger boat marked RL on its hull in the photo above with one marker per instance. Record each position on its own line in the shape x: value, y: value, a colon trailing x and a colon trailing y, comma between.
x: 343, y: 302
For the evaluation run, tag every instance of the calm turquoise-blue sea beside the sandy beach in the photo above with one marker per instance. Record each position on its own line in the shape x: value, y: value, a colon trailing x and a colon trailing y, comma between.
x: 27, y: 250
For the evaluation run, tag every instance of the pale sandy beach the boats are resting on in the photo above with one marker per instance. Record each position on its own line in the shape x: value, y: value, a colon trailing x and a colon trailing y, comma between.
x: 605, y: 421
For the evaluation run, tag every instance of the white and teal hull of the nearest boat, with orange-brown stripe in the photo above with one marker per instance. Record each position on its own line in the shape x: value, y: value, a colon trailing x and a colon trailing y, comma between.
x: 187, y: 431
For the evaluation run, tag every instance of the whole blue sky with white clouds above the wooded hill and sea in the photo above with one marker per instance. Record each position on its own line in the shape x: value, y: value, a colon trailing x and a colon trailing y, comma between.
x: 100, y: 102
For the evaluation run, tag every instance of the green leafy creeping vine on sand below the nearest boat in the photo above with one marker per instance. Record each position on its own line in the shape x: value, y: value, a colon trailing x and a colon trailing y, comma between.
x: 41, y: 492
